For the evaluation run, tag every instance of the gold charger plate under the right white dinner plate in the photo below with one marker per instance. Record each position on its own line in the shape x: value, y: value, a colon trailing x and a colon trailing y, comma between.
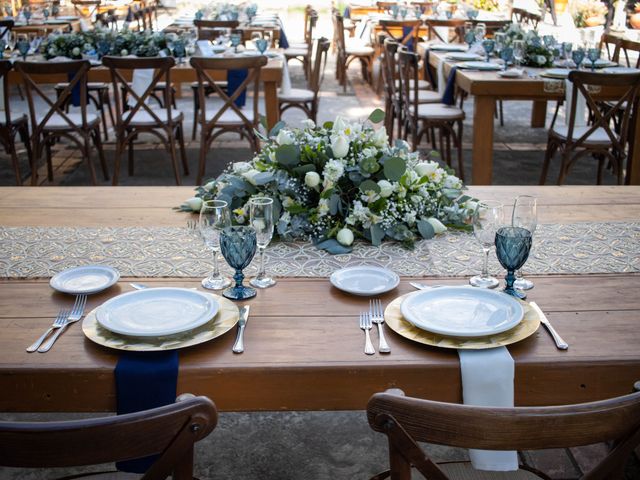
x: 396, y: 322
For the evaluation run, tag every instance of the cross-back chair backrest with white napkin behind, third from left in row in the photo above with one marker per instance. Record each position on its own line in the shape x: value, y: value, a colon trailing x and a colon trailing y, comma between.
x: 121, y: 69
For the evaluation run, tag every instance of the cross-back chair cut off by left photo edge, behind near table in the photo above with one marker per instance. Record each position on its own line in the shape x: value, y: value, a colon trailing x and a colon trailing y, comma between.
x: 10, y: 126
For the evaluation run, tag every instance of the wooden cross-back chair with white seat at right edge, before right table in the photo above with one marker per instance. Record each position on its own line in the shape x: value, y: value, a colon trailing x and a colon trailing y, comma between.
x: 598, y: 138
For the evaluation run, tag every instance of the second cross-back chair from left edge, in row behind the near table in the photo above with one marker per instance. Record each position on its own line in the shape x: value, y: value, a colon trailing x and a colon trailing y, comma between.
x: 48, y: 126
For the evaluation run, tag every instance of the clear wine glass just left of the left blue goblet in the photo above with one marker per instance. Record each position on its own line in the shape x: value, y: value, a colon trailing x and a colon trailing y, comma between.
x: 214, y: 217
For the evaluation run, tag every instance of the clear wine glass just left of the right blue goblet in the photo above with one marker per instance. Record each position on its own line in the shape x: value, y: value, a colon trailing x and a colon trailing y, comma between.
x: 487, y: 219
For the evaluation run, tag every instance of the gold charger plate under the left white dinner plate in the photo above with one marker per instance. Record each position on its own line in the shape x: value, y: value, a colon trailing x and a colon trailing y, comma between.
x: 225, y: 320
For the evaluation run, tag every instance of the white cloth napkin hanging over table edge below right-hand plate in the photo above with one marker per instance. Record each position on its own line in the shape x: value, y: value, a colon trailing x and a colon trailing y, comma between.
x: 487, y: 381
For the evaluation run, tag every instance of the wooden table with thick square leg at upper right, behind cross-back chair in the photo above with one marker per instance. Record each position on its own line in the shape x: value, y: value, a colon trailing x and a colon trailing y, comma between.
x: 487, y: 88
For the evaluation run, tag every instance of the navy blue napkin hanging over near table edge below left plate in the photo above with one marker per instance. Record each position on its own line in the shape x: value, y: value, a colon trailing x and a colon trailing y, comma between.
x: 144, y: 380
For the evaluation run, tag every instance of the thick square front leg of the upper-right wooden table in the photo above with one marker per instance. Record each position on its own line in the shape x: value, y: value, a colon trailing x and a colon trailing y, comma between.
x: 482, y: 164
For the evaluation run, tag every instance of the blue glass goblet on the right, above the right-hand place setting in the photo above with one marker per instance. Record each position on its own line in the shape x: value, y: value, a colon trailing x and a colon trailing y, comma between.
x: 512, y: 249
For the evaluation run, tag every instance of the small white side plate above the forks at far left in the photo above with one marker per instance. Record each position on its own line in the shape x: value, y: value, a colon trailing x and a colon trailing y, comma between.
x: 84, y: 280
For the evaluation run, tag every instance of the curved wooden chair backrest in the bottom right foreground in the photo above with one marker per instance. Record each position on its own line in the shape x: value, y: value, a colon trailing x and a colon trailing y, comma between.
x: 407, y: 420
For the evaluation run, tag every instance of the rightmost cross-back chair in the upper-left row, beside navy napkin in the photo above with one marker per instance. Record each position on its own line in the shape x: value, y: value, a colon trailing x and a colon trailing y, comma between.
x: 226, y: 116
